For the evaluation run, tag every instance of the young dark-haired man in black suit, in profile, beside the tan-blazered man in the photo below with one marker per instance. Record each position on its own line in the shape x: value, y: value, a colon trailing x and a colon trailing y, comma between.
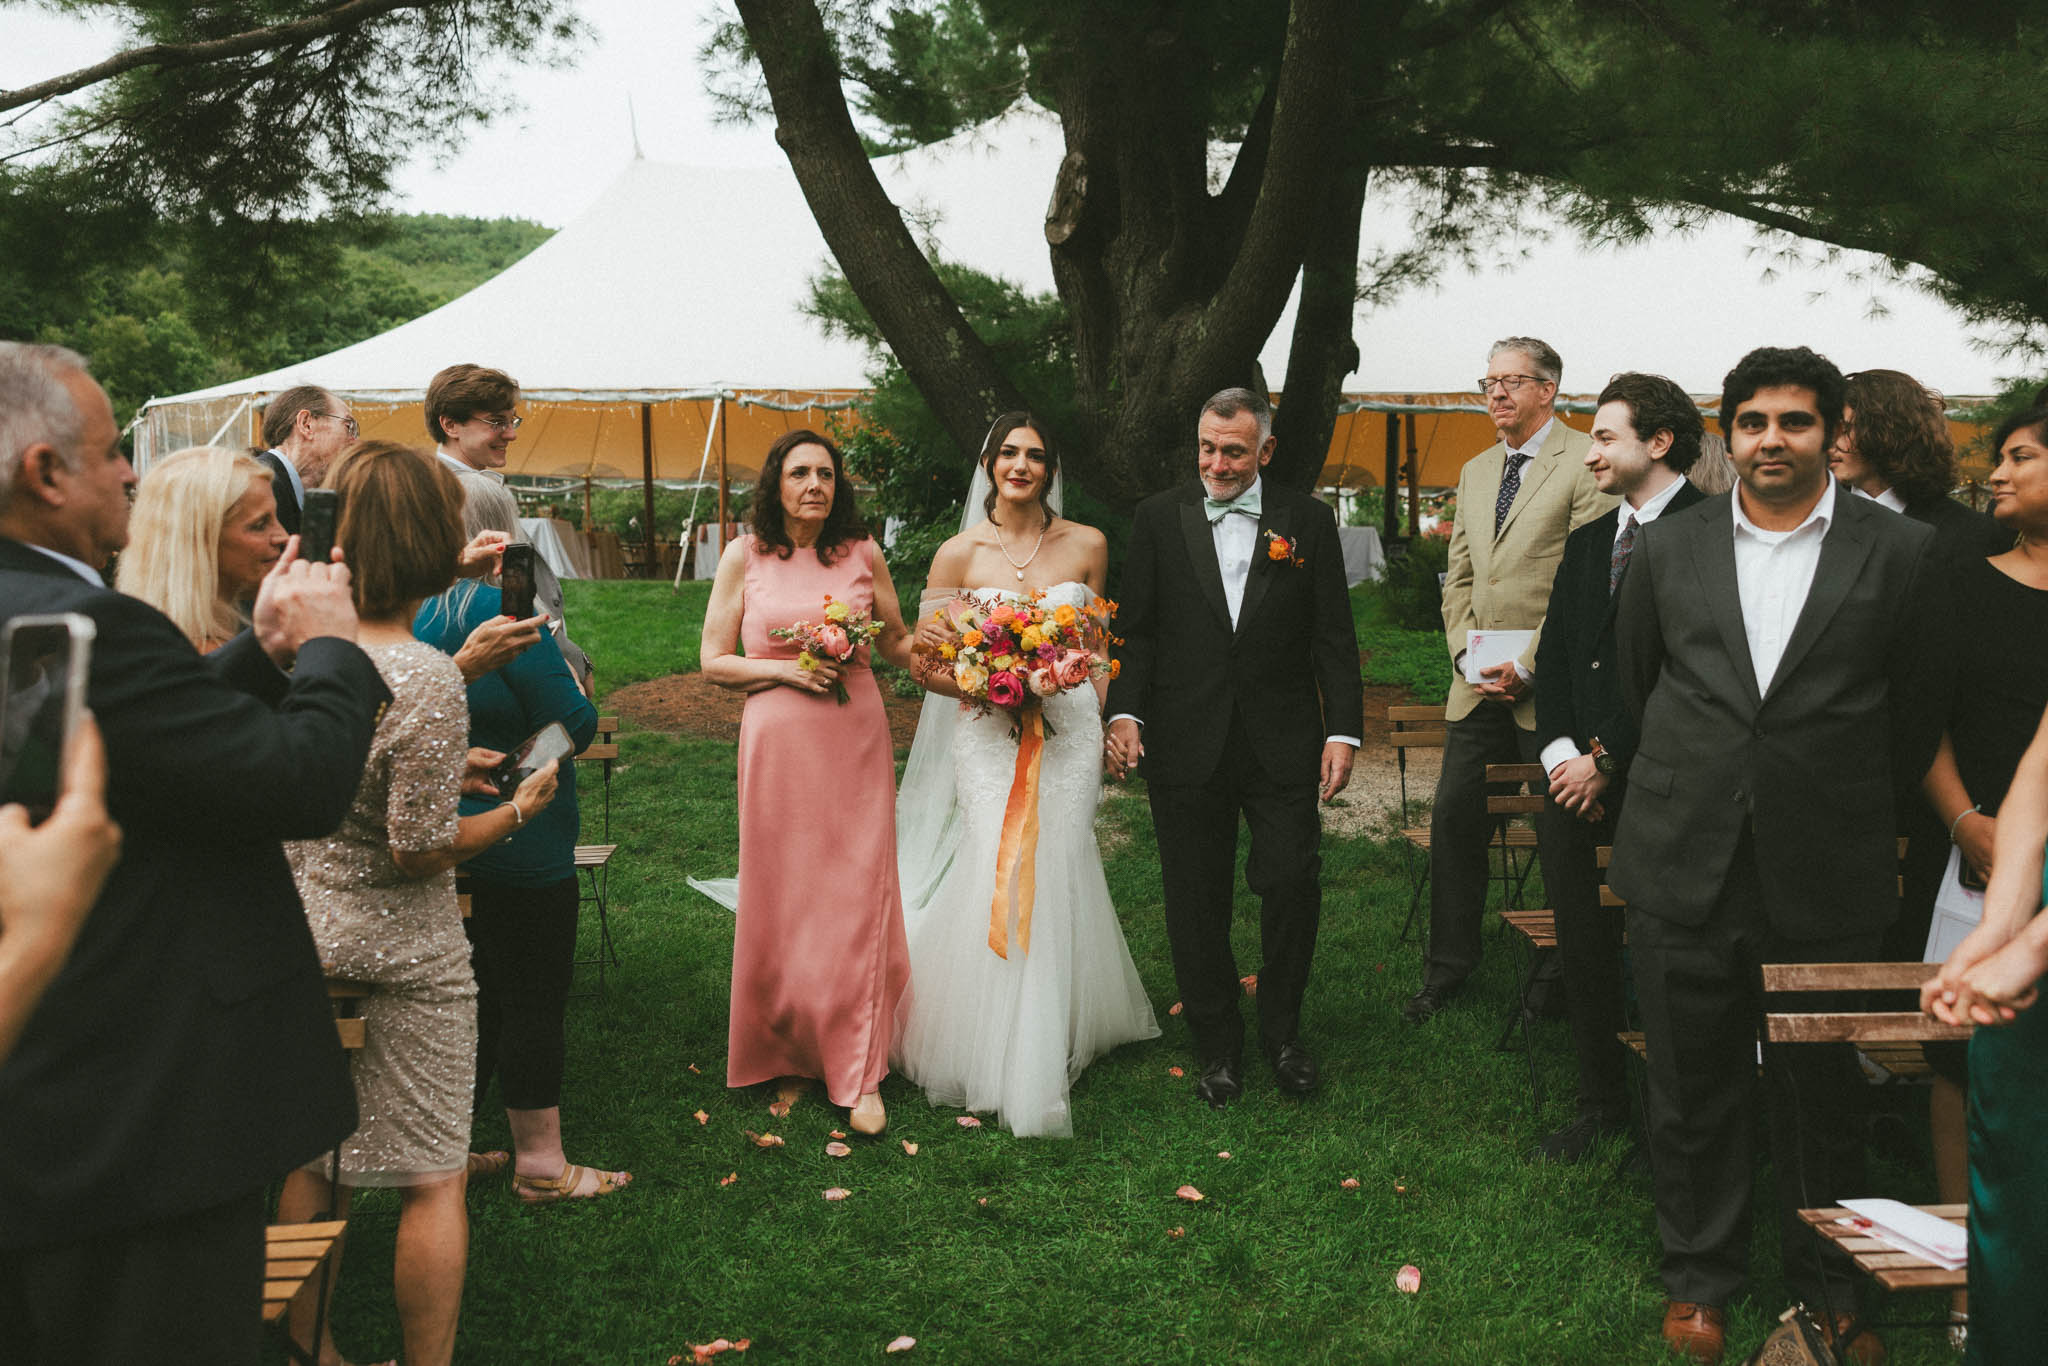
x: 1646, y: 437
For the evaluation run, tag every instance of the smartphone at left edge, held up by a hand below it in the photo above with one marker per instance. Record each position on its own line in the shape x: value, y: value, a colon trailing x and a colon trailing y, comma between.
x: 42, y: 697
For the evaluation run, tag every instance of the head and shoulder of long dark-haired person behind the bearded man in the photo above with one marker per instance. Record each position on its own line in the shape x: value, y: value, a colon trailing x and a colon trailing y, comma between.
x: 1893, y: 447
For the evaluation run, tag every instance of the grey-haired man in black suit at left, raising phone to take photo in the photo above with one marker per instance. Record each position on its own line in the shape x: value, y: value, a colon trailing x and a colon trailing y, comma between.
x: 185, y: 1054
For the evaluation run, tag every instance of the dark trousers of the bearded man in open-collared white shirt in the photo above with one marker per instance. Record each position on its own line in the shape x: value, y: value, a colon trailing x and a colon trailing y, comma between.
x: 1701, y: 992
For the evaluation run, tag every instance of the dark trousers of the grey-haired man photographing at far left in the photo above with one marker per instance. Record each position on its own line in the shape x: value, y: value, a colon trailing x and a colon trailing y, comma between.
x: 181, y: 1291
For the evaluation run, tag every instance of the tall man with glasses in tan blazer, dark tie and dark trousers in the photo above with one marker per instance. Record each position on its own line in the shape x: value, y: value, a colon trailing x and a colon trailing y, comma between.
x: 1517, y: 505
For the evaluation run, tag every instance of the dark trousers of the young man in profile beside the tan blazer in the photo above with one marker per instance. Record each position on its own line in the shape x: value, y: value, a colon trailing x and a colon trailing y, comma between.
x: 1590, y: 947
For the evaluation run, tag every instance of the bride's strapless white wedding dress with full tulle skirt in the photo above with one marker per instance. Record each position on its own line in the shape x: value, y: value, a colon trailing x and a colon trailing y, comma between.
x: 980, y: 1031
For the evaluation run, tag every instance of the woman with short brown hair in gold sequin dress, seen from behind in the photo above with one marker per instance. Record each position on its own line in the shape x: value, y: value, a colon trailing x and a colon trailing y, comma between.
x: 380, y: 896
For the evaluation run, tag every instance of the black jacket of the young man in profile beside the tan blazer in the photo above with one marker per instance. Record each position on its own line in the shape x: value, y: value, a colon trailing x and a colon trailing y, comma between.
x: 1578, y: 667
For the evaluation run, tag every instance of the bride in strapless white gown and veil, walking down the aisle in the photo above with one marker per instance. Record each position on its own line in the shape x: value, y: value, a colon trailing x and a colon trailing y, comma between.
x: 1011, y: 1033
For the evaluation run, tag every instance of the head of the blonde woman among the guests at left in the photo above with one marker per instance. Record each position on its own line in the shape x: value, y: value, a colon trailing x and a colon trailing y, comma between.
x: 202, y: 538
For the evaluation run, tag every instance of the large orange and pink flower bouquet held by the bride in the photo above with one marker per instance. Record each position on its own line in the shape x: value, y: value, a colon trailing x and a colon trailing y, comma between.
x: 1013, y: 654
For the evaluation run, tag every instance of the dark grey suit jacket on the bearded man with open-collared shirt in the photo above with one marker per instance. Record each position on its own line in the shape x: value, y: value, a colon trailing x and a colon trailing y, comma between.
x: 1816, y: 765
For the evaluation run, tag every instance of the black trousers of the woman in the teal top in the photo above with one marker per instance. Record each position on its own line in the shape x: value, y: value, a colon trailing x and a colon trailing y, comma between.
x: 523, y: 949
